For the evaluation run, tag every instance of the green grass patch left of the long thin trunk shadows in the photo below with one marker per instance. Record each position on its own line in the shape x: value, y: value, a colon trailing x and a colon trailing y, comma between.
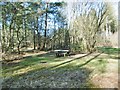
x: 31, y: 63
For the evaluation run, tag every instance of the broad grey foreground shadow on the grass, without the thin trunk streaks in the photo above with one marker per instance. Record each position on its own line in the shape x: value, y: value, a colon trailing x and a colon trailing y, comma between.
x: 58, y: 78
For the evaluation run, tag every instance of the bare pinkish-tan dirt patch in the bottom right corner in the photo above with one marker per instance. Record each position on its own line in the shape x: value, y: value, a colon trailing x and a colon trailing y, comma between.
x: 109, y: 79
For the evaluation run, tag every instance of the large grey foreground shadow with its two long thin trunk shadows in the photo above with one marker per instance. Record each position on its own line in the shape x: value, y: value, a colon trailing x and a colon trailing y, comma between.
x: 72, y: 76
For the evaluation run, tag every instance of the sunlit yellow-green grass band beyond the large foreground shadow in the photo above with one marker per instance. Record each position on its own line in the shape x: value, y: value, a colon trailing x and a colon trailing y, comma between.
x: 32, y: 64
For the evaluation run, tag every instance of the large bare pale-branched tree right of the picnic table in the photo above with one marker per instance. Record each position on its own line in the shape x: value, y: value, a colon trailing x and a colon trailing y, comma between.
x: 88, y: 23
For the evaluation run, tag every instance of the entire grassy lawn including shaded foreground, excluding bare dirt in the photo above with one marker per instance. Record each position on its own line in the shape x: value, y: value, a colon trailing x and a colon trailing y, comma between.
x: 48, y: 71
